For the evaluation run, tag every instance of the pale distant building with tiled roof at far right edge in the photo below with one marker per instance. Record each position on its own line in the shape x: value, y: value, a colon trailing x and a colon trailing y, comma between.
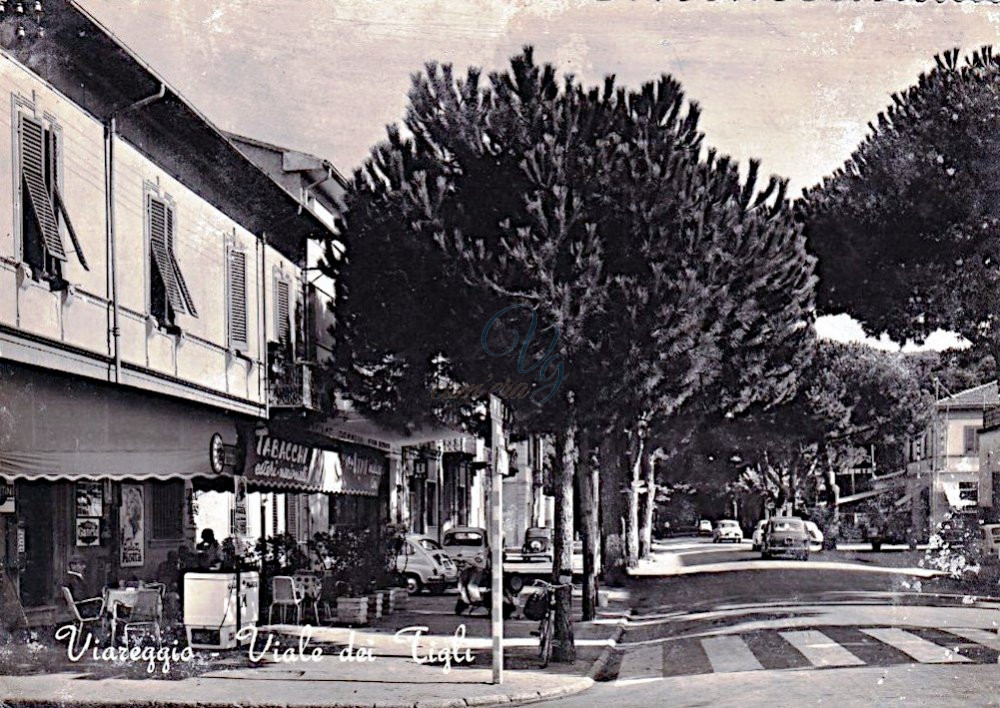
x: 944, y: 472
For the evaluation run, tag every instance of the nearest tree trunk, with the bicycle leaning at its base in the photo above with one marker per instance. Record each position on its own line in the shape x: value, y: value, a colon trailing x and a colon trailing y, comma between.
x: 563, y: 647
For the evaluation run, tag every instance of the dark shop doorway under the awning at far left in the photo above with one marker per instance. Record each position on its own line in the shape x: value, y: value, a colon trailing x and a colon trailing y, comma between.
x: 35, y: 506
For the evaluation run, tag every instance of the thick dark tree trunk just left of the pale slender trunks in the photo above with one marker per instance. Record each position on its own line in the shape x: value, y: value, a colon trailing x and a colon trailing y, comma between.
x: 613, y: 477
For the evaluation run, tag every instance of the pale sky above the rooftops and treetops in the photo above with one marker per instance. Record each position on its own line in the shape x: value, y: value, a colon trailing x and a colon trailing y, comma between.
x: 792, y: 83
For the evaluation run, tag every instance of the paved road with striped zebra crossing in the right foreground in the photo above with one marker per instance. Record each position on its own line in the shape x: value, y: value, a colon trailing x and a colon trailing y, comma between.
x: 716, y: 626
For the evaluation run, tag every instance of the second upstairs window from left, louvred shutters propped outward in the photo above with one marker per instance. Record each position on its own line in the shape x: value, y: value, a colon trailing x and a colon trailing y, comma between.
x: 168, y: 291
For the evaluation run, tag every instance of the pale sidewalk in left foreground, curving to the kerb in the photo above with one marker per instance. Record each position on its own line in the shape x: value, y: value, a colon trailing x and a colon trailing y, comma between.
x: 324, y: 672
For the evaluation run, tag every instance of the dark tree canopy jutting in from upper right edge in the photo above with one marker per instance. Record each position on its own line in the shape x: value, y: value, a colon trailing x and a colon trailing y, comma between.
x: 907, y: 230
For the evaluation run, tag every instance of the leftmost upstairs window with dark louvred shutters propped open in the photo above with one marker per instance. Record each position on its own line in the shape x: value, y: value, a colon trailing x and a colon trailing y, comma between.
x: 42, y: 205
